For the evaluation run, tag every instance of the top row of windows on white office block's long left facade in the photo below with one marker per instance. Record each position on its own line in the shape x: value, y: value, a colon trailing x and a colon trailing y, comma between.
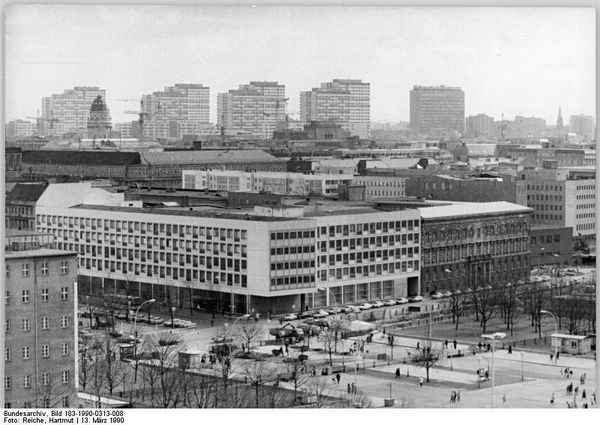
x: 136, y: 226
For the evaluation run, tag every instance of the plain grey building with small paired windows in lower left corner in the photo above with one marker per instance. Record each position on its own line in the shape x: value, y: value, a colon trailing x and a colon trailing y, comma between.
x: 40, y: 329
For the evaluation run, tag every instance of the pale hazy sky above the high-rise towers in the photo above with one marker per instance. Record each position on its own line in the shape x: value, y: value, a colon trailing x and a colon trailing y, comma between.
x: 511, y: 60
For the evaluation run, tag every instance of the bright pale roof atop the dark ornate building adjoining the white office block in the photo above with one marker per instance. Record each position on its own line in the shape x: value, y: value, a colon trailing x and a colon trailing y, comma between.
x: 472, y: 208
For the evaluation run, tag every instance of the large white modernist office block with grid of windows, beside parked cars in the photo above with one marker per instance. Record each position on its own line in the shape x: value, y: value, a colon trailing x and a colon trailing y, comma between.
x: 282, y: 259
